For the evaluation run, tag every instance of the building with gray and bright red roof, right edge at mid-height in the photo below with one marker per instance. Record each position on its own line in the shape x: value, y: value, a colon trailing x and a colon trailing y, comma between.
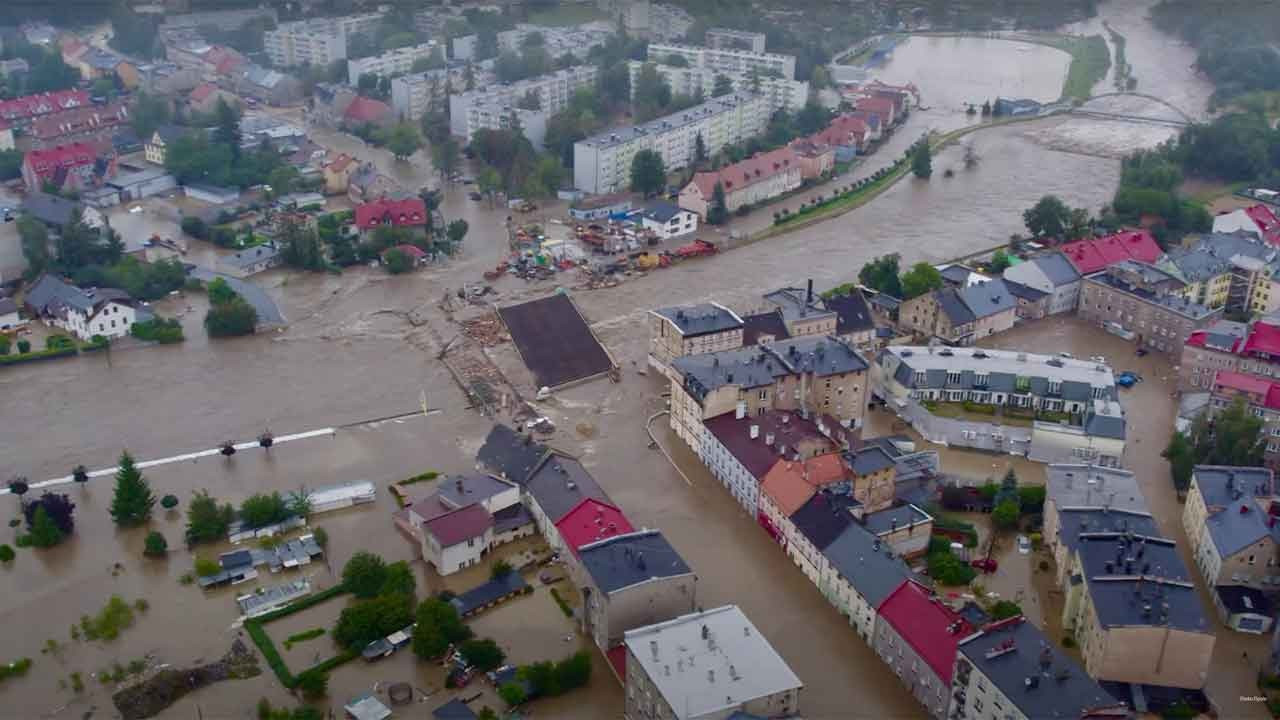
x: 1250, y: 349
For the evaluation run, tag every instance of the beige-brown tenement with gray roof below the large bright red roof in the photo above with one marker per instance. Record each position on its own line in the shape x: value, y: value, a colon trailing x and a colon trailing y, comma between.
x: 1141, y: 299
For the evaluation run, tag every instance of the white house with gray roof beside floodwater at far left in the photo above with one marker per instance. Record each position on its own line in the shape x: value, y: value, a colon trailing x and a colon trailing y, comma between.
x: 85, y: 313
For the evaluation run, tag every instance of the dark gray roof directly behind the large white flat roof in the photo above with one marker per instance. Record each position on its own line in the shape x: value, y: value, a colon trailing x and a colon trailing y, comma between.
x: 623, y: 562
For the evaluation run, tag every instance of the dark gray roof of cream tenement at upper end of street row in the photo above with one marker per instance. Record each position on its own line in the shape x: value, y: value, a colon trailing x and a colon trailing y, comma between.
x: 756, y: 367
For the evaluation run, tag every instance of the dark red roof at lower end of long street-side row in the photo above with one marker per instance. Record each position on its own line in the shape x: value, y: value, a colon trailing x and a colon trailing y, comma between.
x: 926, y: 625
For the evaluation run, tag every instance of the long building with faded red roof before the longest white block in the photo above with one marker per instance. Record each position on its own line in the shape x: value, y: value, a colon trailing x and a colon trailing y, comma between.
x: 746, y: 184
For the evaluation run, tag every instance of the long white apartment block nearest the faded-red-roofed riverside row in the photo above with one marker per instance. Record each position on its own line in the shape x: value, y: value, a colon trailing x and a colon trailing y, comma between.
x: 602, y: 165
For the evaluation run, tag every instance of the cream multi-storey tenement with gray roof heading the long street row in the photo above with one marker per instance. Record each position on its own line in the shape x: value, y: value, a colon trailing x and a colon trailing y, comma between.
x: 817, y: 375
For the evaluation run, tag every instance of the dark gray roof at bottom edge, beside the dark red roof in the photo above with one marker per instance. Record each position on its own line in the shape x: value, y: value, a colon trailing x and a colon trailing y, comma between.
x: 1058, y: 689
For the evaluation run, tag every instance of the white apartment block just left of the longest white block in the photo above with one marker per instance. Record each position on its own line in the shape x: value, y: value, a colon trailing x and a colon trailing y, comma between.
x: 554, y: 90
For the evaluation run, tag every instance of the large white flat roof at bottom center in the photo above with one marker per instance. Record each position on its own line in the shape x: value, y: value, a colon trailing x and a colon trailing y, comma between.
x: 710, y: 662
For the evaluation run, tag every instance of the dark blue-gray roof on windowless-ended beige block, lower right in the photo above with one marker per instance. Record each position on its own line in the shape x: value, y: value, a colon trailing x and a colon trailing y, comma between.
x: 1148, y: 585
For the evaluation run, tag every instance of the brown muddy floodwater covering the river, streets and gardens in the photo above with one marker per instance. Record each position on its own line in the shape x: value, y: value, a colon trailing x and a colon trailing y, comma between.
x: 353, y: 361
